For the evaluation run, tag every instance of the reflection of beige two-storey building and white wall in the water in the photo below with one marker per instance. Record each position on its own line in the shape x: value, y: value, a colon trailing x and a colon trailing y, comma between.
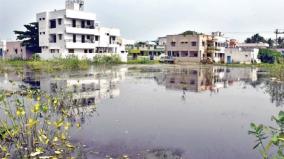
x: 202, y: 79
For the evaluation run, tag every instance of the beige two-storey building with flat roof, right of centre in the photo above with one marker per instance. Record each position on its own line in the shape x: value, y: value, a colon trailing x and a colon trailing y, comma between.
x: 196, y: 48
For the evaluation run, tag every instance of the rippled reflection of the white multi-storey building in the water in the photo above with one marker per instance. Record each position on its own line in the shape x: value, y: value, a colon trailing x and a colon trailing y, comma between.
x: 87, y: 89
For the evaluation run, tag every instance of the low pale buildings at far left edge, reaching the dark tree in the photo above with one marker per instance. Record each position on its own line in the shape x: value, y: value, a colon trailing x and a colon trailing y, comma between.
x: 14, y: 50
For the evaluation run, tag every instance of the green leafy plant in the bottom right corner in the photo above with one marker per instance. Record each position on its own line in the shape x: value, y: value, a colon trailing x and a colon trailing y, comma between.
x: 268, y: 138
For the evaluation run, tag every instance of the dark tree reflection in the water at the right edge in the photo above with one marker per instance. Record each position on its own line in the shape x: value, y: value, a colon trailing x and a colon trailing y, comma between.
x: 276, y: 91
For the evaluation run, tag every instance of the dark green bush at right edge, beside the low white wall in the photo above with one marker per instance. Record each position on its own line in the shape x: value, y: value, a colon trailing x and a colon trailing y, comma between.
x: 270, y: 56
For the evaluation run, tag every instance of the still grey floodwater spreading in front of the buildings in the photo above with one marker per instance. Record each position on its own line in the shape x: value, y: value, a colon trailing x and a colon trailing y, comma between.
x: 163, y: 111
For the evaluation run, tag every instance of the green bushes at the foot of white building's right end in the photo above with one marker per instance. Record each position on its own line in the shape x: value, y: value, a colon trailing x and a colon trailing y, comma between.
x: 105, y: 59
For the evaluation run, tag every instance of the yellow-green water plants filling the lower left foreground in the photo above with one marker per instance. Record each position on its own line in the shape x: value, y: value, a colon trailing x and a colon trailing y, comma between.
x: 35, y: 125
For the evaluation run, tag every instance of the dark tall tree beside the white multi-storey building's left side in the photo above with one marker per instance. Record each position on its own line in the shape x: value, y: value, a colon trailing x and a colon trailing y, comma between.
x: 30, y: 37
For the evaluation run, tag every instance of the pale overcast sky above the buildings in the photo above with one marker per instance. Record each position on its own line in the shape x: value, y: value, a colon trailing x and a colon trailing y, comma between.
x: 149, y: 19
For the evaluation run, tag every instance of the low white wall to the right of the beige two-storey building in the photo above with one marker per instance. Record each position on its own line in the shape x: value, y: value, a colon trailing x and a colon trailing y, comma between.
x: 241, y: 55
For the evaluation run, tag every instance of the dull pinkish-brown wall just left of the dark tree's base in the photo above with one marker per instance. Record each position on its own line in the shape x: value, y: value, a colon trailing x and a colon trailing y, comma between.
x: 15, y: 50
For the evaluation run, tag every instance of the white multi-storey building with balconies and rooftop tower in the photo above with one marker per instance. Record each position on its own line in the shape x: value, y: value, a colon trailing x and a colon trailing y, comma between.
x: 72, y: 31
